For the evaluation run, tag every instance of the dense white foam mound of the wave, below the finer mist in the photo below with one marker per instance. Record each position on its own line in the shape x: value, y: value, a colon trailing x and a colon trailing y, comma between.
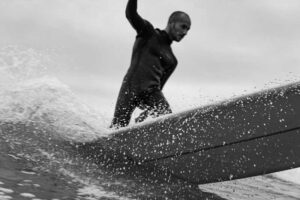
x: 48, y: 101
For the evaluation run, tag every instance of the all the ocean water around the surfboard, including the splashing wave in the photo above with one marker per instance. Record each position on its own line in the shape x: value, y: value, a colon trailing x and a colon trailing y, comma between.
x: 41, y: 119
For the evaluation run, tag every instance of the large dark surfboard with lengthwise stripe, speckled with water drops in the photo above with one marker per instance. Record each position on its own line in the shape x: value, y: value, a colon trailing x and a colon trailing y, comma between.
x: 247, y: 136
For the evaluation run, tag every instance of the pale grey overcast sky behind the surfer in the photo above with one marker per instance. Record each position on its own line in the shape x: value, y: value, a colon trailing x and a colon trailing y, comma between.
x: 230, y: 42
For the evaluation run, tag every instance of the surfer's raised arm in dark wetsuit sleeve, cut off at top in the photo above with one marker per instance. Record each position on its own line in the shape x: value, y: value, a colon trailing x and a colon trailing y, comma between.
x: 137, y: 22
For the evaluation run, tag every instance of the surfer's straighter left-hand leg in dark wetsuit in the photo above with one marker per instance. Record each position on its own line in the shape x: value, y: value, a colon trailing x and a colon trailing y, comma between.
x: 125, y: 105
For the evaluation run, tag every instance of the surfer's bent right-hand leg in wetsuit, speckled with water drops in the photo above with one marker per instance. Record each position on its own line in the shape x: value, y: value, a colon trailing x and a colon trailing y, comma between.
x: 155, y: 104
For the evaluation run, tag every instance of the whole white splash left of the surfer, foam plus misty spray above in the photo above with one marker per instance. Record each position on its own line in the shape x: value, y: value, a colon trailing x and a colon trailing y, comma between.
x: 29, y: 94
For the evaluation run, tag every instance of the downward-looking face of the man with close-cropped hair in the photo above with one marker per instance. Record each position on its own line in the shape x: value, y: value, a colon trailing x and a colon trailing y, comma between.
x: 179, y: 29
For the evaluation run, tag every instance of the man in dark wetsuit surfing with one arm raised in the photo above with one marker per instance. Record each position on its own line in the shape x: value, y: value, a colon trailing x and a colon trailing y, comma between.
x: 152, y: 63
